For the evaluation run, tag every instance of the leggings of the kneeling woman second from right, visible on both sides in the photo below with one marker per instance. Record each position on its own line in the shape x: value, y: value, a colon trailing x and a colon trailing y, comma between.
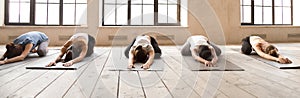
x: 185, y: 50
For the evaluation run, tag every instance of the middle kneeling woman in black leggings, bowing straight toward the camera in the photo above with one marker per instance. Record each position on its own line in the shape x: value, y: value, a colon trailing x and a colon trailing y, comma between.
x: 143, y: 49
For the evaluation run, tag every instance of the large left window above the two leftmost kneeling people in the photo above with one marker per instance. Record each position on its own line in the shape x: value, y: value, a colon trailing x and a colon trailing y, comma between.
x: 45, y: 12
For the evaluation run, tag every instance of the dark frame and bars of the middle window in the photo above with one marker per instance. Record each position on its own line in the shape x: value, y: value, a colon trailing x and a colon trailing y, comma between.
x: 156, y: 23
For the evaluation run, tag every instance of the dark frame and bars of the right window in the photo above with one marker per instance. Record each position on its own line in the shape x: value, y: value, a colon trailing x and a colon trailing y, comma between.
x: 253, y: 11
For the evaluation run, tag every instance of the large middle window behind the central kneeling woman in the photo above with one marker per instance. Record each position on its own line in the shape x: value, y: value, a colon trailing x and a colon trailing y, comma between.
x: 141, y: 12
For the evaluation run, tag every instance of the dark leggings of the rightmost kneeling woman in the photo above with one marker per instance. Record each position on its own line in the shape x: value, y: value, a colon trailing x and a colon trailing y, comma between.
x: 246, y: 46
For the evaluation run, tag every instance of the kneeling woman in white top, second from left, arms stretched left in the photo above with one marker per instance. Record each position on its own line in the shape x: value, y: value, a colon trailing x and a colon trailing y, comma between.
x: 80, y: 45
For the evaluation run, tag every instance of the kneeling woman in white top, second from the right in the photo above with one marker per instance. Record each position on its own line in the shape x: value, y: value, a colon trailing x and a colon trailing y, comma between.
x: 201, y: 49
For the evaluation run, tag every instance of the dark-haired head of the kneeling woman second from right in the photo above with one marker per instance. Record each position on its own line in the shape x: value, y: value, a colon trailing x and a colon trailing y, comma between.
x: 204, y: 52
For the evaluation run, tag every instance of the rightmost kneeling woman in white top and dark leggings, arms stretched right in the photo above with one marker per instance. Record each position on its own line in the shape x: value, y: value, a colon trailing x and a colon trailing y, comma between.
x: 263, y: 49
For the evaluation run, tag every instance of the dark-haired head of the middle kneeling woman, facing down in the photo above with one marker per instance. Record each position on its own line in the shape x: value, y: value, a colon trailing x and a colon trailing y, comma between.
x: 140, y: 55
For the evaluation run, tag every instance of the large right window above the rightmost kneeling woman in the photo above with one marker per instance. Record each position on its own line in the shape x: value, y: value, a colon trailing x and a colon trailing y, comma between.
x: 266, y: 12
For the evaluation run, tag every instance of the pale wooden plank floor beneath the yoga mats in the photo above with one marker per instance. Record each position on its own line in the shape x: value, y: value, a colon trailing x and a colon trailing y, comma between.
x: 94, y: 79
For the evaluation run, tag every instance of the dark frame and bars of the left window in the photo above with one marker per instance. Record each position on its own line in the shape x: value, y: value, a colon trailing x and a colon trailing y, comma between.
x: 32, y: 15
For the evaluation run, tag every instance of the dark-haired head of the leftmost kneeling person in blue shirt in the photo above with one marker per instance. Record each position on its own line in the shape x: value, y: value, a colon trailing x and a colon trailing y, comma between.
x: 13, y: 50
